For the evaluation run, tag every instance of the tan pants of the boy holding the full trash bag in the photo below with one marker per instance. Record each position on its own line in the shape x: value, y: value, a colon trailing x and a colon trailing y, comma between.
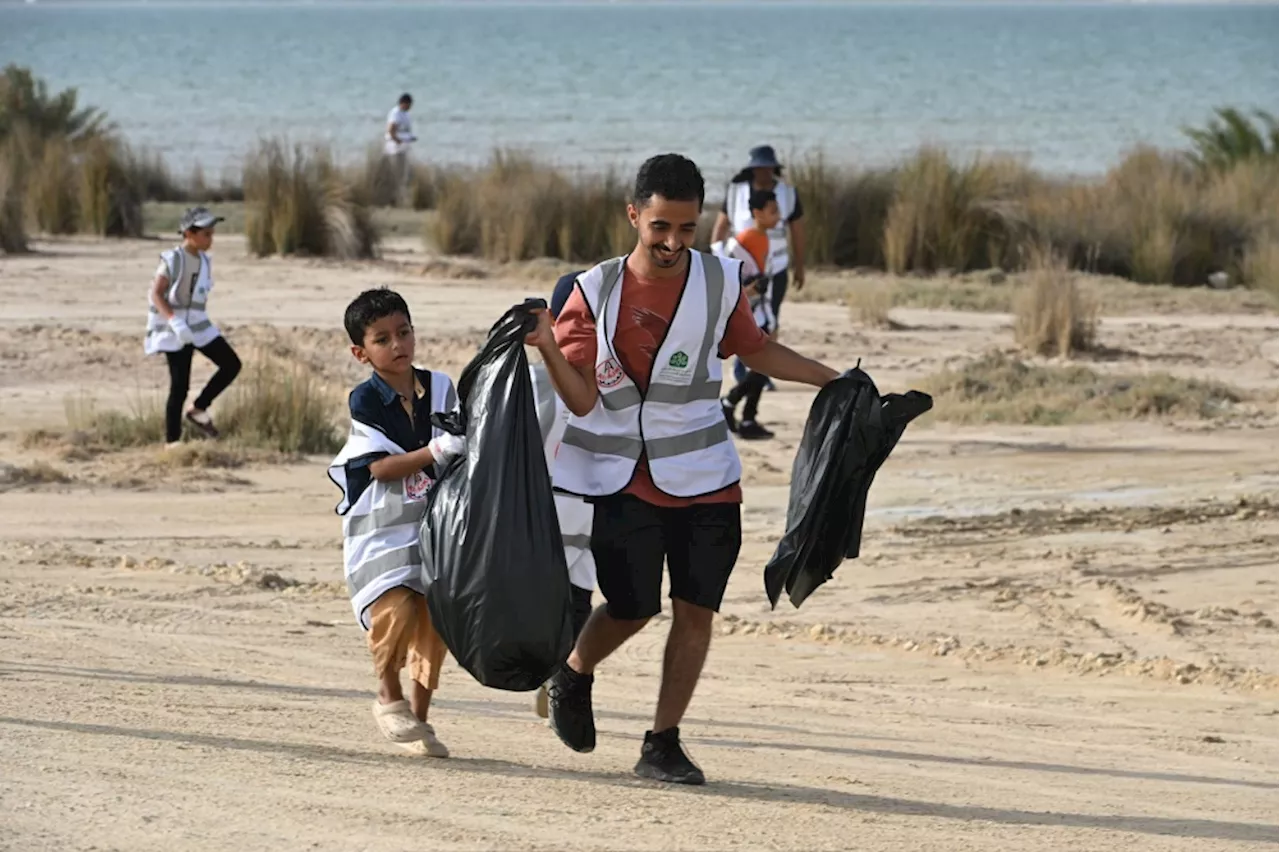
x: 400, y: 631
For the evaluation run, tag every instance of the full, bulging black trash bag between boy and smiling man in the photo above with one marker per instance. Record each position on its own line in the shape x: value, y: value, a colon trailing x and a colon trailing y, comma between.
x: 493, y: 562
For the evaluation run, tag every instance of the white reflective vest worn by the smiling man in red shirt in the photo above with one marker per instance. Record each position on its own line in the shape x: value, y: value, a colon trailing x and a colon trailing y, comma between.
x: 678, y: 423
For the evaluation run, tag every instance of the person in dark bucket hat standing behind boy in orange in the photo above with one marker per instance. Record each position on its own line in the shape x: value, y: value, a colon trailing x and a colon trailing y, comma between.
x: 787, y: 240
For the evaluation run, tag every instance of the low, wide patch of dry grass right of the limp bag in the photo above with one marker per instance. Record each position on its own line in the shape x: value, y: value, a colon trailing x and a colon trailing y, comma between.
x: 1000, y: 390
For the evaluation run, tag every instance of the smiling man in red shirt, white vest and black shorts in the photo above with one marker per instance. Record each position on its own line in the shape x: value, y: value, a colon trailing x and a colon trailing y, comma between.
x: 637, y: 355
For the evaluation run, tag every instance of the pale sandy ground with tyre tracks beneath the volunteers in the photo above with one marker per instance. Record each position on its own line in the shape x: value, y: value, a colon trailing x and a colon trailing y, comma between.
x: 1057, y: 639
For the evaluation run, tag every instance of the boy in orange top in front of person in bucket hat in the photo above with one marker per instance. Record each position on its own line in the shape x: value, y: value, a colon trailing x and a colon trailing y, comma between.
x: 752, y: 248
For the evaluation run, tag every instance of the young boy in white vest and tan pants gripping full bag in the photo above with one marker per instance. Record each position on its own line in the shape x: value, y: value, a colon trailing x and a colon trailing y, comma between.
x: 386, y: 470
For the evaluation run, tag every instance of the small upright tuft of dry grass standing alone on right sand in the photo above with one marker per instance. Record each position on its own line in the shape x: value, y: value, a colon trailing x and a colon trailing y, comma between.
x: 1052, y: 315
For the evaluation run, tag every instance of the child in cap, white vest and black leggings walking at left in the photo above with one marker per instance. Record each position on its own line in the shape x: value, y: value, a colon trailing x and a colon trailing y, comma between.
x: 179, y: 324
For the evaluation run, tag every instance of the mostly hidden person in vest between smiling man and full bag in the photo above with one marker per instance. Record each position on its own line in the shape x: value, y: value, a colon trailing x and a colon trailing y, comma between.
x: 575, y: 515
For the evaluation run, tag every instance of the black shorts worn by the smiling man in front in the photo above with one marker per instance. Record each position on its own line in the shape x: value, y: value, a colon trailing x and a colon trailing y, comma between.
x: 632, y: 539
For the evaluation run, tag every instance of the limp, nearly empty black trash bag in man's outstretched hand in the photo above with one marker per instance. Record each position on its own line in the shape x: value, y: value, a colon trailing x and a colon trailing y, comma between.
x: 849, y: 434
